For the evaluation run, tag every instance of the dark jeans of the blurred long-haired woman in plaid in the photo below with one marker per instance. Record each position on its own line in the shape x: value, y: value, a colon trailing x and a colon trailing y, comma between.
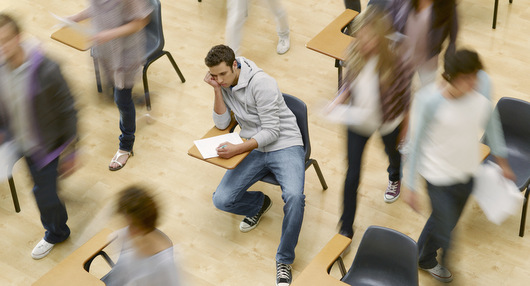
x: 356, y: 145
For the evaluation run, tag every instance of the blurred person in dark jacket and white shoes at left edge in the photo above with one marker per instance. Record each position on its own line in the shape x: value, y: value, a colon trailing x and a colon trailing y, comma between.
x: 37, y: 113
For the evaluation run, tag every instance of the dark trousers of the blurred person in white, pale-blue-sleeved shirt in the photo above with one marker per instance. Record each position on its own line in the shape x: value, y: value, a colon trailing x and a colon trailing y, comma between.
x: 447, y: 204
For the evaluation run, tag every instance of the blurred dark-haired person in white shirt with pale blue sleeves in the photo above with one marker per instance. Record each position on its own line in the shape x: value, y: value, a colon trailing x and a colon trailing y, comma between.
x: 445, y: 151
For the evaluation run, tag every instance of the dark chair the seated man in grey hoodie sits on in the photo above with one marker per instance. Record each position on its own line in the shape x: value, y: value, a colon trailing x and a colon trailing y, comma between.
x: 299, y: 109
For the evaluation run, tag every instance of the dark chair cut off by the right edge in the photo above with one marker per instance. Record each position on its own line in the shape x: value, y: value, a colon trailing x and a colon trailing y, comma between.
x: 515, y: 120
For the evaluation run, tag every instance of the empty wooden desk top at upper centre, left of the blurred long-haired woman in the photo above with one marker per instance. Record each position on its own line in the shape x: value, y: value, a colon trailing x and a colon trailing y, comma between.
x: 331, y: 41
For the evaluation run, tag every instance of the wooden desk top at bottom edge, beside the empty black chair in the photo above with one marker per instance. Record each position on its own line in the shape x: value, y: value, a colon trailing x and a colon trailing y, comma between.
x: 316, y: 273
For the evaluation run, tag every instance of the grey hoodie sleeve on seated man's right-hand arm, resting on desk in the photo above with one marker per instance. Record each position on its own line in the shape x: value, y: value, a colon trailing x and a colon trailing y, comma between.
x: 266, y: 94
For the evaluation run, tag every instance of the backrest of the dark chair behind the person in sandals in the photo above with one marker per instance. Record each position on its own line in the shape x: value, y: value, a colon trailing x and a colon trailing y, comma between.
x: 153, y: 30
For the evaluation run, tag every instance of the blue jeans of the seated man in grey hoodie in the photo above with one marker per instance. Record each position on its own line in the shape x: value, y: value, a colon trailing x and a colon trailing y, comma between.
x: 288, y: 167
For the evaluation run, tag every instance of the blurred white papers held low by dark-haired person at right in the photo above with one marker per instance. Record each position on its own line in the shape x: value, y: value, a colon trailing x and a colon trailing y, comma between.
x: 497, y: 196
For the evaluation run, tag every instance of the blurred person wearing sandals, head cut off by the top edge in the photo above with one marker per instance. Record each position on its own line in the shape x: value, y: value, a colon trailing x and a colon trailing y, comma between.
x: 119, y: 46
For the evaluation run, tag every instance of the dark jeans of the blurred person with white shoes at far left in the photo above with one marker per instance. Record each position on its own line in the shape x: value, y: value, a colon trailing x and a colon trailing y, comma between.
x: 52, y: 211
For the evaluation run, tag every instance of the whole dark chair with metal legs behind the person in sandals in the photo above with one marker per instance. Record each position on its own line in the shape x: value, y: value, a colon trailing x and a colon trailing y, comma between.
x: 154, y: 50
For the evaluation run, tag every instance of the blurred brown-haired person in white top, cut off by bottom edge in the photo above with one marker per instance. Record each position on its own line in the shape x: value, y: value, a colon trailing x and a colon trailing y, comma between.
x: 146, y: 256
